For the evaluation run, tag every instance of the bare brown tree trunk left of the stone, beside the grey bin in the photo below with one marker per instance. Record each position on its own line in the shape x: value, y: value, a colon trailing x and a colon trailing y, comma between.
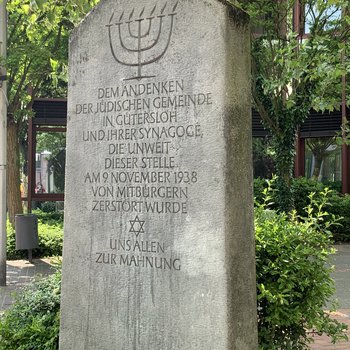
x: 14, y: 203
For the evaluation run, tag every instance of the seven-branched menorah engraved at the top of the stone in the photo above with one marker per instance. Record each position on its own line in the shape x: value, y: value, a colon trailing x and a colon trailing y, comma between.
x: 142, y: 39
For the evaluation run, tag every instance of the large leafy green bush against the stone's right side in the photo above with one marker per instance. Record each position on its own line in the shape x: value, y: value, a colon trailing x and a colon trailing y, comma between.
x: 293, y: 276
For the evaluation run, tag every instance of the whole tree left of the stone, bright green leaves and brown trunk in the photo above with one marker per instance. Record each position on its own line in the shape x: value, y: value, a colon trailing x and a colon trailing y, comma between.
x: 37, y: 55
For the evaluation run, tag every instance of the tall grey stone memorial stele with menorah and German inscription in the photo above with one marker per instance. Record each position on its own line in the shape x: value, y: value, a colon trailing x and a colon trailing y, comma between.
x: 158, y: 233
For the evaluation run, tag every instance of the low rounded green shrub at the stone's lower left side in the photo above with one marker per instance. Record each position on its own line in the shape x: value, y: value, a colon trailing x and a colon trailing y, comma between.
x: 32, y: 322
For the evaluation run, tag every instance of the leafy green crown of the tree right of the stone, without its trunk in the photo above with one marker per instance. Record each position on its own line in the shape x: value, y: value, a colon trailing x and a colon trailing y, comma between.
x: 287, y: 63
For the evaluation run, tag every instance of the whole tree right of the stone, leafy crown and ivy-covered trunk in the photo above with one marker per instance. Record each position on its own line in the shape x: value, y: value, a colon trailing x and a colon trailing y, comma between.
x: 293, y: 73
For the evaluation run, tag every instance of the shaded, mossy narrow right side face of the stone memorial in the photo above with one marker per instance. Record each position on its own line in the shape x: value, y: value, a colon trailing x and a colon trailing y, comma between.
x: 238, y: 339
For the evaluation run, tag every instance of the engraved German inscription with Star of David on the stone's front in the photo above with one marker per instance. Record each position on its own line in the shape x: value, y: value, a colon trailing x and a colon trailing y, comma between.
x: 141, y: 127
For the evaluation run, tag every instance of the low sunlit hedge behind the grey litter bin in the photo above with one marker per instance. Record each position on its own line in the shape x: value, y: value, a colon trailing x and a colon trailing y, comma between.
x: 50, y: 241
